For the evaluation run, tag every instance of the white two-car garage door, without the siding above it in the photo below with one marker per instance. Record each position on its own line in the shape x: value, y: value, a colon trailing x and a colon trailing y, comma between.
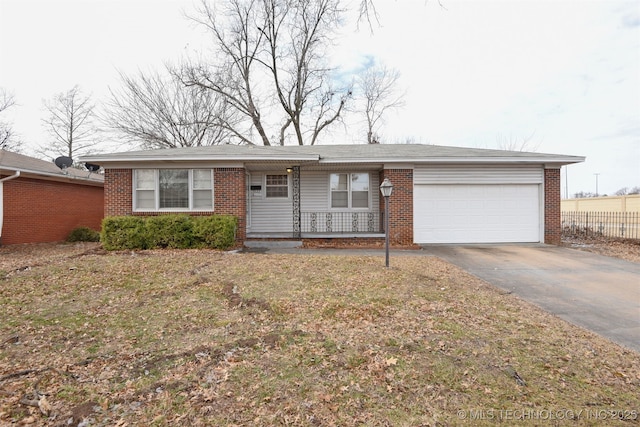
x: 466, y: 213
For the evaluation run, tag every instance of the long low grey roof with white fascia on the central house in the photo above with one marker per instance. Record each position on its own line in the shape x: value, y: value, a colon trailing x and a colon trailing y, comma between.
x: 333, y: 154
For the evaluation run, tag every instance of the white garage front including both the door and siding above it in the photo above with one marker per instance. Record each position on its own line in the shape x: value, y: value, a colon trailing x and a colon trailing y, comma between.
x: 475, y: 204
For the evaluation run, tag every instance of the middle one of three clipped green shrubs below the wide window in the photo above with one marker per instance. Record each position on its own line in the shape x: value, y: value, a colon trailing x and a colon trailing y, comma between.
x: 169, y: 231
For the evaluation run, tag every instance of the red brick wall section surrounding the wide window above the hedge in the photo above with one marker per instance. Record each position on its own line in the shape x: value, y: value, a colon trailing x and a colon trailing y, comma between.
x: 228, y: 189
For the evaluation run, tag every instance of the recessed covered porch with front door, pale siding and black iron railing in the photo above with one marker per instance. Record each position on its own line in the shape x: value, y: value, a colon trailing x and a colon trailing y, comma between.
x: 314, y: 202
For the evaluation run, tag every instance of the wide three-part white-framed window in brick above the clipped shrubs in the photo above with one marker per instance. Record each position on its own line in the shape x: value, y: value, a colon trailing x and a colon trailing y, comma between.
x: 173, y: 189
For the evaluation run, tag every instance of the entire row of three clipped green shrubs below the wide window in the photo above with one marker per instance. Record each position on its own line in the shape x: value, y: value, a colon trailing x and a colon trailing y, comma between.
x: 177, y: 231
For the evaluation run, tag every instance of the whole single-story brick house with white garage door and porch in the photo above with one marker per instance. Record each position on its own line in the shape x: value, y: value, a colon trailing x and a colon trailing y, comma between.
x: 329, y: 193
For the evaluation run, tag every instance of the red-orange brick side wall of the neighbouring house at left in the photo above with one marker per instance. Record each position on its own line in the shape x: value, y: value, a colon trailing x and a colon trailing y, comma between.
x: 38, y: 211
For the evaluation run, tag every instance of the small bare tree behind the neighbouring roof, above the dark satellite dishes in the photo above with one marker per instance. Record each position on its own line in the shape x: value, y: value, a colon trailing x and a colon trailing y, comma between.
x: 70, y: 124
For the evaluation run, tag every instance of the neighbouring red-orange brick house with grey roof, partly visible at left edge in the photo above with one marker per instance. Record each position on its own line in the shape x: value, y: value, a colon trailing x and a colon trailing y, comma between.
x: 40, y: 203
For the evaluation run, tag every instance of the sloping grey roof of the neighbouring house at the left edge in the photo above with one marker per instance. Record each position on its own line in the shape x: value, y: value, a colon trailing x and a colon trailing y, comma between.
x: 10, y: 163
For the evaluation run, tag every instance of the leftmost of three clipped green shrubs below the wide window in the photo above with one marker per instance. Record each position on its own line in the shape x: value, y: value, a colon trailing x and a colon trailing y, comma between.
x: 124, y: 232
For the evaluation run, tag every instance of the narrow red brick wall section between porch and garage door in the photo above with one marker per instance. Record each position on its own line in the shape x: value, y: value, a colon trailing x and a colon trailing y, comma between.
x: 400, y: 206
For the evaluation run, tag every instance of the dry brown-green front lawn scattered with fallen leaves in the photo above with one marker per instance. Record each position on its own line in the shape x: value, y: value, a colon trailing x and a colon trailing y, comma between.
x: 199, y: 337
